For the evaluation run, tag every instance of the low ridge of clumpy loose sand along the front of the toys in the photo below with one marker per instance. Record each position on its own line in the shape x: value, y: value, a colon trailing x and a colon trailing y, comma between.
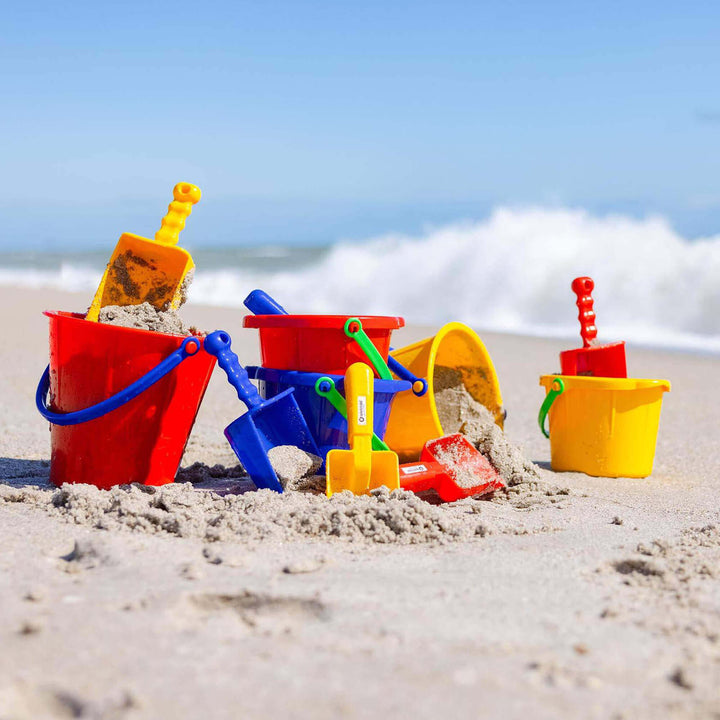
x: 179, y: 509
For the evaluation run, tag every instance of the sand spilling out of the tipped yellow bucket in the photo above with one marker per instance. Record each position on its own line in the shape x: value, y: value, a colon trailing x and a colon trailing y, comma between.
x: 460, y: 412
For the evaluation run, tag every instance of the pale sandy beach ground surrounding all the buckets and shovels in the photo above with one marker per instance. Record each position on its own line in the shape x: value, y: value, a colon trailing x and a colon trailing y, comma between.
x: 565, y: 597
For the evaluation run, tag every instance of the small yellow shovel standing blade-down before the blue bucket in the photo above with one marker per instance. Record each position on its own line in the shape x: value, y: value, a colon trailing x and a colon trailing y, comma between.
x: 360, y: 469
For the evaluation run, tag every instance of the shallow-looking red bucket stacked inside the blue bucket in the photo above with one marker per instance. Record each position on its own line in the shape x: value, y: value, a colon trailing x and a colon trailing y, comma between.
x: 318, y: 343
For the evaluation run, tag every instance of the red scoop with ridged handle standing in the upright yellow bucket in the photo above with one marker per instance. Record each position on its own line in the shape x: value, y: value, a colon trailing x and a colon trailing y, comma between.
x: 591, y: 359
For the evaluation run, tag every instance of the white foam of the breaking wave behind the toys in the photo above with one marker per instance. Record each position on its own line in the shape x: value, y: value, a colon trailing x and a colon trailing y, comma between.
x: 510, y: 272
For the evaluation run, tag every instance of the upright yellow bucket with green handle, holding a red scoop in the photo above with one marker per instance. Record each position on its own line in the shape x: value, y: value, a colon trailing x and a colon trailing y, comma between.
x: 602, y: 426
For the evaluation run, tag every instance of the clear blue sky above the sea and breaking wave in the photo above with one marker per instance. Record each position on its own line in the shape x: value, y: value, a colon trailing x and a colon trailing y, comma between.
x: 313, y: 121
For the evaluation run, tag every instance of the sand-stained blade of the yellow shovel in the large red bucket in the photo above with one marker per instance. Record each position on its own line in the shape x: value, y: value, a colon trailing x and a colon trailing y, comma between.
x: 142, y: 270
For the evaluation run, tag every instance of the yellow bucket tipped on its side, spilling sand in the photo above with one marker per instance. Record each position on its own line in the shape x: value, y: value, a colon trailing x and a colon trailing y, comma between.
x: 414, y: 420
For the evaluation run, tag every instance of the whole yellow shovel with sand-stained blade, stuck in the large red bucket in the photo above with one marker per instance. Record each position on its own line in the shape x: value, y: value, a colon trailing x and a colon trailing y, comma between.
x: 143, y: 270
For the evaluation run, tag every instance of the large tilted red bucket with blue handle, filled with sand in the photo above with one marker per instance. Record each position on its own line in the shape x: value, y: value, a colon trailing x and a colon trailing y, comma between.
x: 143, y: 440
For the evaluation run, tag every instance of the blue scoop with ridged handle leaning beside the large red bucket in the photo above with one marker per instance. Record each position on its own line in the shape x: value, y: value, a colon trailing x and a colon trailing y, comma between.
x: 266, y: 424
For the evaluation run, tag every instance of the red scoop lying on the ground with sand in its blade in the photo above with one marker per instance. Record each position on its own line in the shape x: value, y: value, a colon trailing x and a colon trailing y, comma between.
x: 451, y: 467
